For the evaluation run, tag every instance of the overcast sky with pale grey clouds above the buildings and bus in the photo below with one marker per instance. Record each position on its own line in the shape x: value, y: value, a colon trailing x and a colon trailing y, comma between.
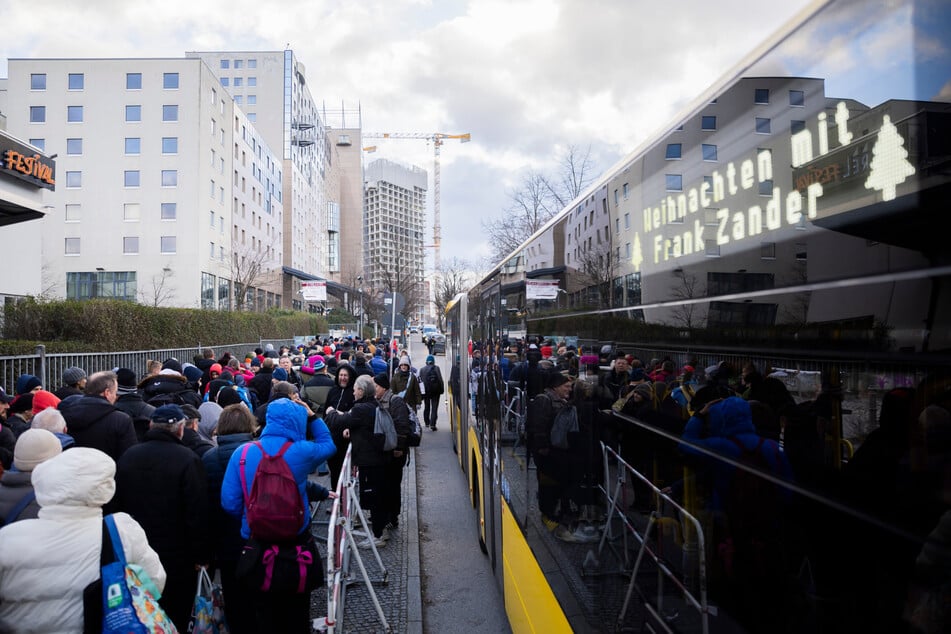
x: 525, y: 78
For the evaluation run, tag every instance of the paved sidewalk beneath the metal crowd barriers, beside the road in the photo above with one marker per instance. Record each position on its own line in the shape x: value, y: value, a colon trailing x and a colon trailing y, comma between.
x: 400, y: 596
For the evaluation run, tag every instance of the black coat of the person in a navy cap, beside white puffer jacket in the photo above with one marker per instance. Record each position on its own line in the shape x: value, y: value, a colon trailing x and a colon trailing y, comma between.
x: 162, y: 485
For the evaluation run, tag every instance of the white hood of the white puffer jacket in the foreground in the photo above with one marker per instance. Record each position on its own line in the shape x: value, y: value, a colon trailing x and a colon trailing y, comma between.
x: 79, y: 477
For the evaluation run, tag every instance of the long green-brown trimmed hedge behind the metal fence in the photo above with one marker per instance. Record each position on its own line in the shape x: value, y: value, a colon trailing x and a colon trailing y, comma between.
x: 106, y: 325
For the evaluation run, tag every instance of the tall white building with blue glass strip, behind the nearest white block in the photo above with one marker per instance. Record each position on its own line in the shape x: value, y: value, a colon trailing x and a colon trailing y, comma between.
x: 271, y: 87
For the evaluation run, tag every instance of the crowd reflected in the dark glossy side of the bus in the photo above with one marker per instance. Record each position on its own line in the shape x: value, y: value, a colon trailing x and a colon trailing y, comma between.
x: 760, y: 534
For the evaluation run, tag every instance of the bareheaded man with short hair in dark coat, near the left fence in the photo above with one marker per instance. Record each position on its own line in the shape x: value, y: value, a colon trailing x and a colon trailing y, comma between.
x: 94, y: 421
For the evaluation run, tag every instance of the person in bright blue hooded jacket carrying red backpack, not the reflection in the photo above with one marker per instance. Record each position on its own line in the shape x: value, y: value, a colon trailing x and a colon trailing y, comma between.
x: 287, y: 419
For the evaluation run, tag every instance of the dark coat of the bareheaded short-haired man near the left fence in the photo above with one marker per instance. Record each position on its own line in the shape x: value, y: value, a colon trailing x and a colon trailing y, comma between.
x: 94, y: 422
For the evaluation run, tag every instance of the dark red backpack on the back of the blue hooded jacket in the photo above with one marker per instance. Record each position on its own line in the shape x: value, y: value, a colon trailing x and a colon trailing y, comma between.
x: 274, y: 506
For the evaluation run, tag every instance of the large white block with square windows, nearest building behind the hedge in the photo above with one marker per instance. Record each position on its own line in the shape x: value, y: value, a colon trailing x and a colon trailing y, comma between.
x: 148, y: 178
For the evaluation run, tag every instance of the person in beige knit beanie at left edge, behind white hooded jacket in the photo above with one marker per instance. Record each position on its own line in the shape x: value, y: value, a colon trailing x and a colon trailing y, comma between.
x: 17, y: 499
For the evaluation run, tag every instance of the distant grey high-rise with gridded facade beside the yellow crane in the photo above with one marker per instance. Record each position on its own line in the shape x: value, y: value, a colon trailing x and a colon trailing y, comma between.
x: 395, y: 199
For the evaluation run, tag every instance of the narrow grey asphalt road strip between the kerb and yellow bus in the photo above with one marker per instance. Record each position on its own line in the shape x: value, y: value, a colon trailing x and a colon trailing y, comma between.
x: 458, y: 590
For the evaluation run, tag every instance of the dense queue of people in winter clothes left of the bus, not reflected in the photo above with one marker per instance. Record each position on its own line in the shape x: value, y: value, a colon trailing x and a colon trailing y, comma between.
x: 172, y: 454
